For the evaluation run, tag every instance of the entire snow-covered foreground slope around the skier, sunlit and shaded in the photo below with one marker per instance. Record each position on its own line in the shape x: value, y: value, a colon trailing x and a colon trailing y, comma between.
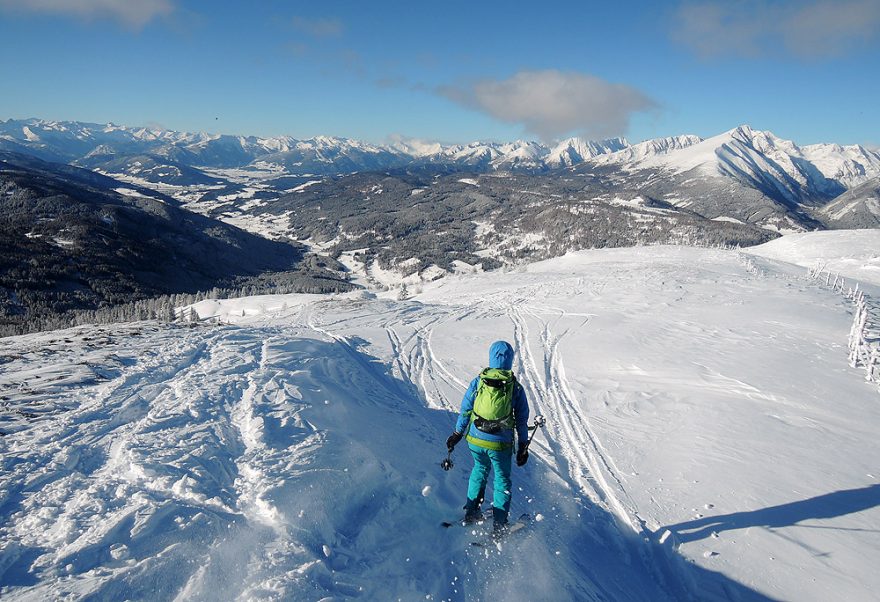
x: 706, y: 439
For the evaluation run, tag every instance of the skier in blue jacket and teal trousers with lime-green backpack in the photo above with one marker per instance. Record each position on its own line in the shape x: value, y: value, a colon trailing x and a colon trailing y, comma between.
x: 493, y: 408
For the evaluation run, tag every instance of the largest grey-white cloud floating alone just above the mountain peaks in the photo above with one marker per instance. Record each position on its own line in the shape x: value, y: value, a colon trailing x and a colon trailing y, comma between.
x: 554, y: 103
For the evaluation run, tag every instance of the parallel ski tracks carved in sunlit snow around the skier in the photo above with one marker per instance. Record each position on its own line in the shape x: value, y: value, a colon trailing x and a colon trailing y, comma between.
x: 575, y: 446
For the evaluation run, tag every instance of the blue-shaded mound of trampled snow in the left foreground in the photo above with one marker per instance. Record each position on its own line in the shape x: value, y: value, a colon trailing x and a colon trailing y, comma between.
x: 270, y: 463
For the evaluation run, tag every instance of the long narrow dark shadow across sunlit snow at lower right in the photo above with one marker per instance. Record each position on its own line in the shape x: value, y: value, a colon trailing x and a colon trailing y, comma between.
x: 829, y: 505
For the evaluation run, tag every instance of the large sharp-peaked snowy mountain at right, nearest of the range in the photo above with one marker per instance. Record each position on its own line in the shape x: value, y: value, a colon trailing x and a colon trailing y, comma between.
x: 744, y: 174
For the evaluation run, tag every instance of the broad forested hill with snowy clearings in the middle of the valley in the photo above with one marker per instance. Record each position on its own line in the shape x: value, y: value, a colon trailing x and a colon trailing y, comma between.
x: 416, y: 223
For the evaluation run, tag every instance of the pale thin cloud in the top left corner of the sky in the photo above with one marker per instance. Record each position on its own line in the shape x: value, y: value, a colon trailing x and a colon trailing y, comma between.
x: 132, y: 13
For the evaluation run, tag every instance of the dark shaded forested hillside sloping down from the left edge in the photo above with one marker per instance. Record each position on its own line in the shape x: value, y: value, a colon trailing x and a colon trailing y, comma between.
x: 74, y: 239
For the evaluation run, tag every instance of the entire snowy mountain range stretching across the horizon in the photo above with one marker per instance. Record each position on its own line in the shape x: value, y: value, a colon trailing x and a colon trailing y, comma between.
x: 743, y: 174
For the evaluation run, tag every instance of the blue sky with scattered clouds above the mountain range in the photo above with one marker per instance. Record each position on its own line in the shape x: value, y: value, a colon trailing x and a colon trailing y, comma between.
x: 453, y: 71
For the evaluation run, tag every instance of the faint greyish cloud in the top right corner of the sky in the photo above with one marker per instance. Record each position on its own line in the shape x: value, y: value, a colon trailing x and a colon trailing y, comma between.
x: 818, y: 29
